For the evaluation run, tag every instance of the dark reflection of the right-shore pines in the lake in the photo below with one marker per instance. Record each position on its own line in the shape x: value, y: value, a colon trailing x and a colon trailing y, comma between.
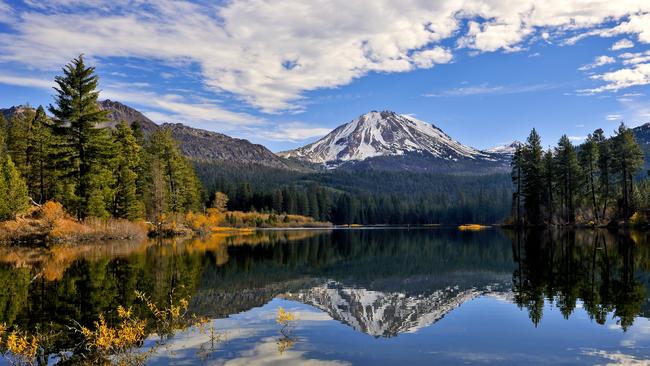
x: 604, y: 270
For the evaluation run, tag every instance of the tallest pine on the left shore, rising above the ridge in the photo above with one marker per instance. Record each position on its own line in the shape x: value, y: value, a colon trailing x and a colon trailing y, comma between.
x: 84, y: 147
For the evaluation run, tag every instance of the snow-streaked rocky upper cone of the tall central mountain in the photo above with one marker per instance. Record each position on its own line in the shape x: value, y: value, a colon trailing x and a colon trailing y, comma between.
x: 383, y: 133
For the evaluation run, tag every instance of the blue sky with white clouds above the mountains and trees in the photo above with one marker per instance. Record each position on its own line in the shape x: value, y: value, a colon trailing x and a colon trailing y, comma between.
x: 283, y: 73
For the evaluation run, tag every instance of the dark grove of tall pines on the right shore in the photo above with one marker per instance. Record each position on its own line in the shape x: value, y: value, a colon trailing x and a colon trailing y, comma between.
x: 593, y: 183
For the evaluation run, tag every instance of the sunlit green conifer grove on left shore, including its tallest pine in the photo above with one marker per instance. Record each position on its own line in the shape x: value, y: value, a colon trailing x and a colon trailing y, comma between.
x: 91, y: 169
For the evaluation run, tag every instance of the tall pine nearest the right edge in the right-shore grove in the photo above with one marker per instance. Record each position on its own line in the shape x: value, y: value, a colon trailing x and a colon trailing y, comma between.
x: 628, y: 159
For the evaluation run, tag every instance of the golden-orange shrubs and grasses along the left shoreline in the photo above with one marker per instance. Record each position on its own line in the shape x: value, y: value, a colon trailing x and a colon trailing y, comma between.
x: 50, y: 224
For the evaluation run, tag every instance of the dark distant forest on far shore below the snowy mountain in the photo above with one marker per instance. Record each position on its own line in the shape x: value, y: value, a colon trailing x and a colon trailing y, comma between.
x: 372, y: 197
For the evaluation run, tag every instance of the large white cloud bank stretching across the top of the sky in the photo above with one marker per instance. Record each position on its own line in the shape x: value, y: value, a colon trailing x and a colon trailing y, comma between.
x: 244, y: 47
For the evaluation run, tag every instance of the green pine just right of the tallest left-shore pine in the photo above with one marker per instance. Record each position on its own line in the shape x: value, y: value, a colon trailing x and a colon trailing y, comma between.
x: 127, y: 160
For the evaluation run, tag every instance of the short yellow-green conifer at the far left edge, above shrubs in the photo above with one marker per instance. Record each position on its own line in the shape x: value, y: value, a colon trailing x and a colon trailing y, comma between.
x: 13, y: 190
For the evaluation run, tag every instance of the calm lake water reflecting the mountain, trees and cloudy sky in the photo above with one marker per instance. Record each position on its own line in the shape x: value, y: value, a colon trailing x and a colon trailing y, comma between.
x: 367, y: 296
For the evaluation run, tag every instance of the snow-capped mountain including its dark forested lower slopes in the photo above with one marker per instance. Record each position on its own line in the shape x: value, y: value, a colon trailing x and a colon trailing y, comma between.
x: 390, y: 141
